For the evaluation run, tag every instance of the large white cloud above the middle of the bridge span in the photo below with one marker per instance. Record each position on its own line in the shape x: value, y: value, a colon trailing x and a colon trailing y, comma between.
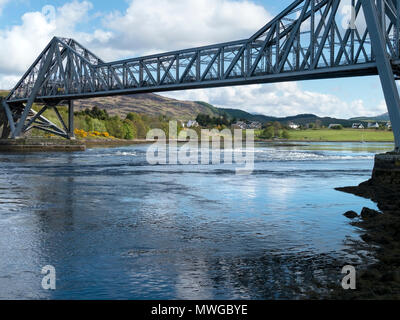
x: 160, y: 25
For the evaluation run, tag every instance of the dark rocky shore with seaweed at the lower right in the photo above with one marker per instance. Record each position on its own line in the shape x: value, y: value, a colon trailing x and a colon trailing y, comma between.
x: 381, y: 231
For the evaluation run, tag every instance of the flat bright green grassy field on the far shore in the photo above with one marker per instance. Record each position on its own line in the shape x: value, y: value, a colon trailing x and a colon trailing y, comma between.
x: 341, y: 135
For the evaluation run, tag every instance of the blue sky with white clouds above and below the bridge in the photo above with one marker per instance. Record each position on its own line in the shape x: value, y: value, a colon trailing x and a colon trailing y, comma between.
x: 130, y: 28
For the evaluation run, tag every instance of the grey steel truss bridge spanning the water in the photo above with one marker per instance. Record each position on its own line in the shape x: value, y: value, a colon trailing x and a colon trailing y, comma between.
x: 305, y: 41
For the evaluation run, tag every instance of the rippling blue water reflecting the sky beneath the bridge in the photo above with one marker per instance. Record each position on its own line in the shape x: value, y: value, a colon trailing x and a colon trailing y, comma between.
x: 116, y: 228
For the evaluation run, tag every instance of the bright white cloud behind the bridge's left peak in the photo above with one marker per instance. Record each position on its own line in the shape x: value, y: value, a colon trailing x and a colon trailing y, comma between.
x: 21, y: 44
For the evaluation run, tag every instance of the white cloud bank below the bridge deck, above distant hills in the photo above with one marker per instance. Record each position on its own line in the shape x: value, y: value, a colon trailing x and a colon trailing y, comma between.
x: 283, y: 99
